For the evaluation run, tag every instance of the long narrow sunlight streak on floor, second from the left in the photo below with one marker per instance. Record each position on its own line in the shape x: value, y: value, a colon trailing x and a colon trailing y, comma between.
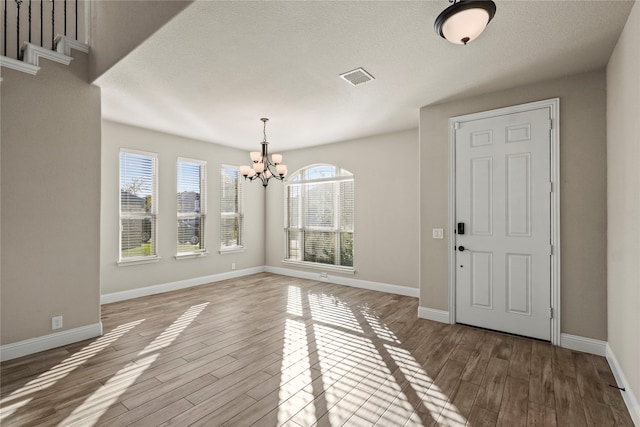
x: 90, y: 411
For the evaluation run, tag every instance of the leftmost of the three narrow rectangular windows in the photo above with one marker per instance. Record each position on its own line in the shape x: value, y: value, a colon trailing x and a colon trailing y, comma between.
x: 138, y: 205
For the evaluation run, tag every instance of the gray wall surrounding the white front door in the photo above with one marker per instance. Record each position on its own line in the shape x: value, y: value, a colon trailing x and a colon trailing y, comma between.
x: 583, y: 192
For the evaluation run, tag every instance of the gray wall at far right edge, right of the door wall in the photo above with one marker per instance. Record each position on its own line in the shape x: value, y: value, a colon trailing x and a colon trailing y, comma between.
x: 623, y: 203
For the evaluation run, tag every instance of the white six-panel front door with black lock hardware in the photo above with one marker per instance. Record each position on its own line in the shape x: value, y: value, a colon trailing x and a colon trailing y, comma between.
x: 503, y: 268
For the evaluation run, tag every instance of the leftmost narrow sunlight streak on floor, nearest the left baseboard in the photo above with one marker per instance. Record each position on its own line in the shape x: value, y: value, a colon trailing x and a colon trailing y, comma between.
x: 61, y: 370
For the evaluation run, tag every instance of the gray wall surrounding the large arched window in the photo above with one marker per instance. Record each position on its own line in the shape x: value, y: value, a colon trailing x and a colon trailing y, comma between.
x: 385, y: 169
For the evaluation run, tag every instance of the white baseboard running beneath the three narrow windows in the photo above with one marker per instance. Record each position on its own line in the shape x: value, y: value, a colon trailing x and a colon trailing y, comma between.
x: 180, y: 284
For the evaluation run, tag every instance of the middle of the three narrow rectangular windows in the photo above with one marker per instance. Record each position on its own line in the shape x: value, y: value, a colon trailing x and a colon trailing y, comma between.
x: 191, y: 206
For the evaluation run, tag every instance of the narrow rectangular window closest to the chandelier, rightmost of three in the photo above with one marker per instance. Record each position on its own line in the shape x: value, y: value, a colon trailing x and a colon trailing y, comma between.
x: 231, y: 215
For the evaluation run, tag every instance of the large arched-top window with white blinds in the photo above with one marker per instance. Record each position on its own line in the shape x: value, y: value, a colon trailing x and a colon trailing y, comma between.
x: 319, y: 216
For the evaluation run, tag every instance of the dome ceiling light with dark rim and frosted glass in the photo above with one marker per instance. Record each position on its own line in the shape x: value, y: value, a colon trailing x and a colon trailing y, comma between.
x: 464, y: 20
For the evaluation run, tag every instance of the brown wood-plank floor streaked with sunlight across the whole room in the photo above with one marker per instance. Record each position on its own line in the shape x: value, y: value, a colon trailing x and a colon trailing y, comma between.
x: 269, y: 350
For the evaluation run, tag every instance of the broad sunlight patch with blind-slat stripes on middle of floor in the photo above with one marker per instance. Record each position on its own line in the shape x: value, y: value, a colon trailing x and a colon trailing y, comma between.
x: 359, y: 381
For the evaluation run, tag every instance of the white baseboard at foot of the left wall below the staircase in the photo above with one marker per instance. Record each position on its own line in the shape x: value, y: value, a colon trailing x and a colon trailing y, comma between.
x: 47, y: 342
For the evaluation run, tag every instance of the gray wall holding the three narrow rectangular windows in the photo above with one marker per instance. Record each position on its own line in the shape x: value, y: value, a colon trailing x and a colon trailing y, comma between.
x: 116, y: 278
